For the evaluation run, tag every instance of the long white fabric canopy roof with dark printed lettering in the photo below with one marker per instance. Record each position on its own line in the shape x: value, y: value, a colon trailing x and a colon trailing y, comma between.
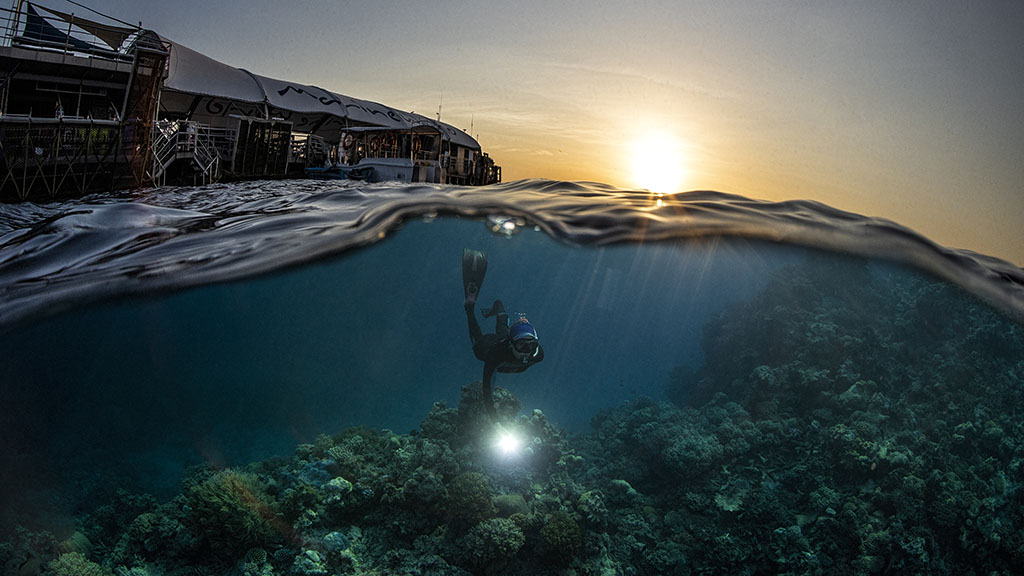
x: 311, y: 109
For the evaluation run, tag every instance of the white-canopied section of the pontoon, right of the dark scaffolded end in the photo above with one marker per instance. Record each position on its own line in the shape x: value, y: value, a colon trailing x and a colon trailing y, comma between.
x: 328, y: 133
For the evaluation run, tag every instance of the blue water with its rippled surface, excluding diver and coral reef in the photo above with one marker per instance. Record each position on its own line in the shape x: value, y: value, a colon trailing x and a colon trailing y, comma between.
x: 144, y: 334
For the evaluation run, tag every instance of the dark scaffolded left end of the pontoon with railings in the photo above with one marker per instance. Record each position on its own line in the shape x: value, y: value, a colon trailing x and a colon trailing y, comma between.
x: 46, y: 153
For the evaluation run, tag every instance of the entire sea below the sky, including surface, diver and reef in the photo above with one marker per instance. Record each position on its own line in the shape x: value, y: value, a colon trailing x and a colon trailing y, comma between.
x: 532, y: 379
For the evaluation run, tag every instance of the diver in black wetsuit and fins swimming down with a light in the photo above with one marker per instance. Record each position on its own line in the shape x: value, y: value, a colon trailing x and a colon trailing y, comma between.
x: 513, y: 348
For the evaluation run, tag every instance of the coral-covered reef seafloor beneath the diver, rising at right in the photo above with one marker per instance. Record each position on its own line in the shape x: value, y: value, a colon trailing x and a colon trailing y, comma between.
x: 845, y: 422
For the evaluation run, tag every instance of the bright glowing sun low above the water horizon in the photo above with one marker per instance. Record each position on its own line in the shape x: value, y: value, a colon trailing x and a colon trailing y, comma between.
x: 658, y: 162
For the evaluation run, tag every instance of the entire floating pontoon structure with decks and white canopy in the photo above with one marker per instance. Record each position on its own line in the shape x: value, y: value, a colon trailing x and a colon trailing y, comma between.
x: 89, y: 106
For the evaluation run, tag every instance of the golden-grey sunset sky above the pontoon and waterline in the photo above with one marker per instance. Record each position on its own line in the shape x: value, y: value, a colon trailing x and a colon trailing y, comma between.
x: 912, y: 111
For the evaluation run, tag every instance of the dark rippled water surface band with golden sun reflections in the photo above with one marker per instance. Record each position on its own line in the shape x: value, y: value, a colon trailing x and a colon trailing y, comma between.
x: 169, y: 238
